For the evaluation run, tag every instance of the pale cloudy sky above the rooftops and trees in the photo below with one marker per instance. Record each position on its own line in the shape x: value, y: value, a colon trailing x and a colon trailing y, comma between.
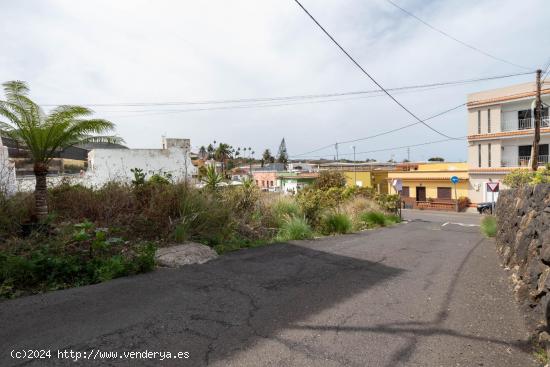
x: 144, y: 51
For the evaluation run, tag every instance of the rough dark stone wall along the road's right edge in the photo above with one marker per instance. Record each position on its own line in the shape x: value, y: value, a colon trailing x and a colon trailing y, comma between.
x: 523, y: 242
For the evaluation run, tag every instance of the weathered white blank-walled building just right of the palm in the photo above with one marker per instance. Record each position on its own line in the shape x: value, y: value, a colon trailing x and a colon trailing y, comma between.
x: 106, y: 165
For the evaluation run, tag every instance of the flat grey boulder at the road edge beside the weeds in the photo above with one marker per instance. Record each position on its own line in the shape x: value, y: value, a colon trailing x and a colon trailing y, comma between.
x: 186, y: 254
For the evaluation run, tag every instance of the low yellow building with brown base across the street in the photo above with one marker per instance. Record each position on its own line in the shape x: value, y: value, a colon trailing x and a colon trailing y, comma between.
x: 430, y: 183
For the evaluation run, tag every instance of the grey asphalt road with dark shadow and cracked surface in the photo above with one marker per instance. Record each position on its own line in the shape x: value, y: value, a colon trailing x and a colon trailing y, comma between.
x: 416, y: 294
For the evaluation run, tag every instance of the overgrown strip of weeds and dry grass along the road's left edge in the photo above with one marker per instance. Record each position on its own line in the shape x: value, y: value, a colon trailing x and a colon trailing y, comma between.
x: 93, y: 235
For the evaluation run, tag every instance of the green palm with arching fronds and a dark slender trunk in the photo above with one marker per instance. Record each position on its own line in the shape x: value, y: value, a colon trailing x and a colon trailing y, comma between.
x: 44, y: 135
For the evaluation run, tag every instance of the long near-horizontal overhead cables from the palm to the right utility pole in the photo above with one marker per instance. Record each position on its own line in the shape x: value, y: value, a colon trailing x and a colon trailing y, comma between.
x: 294, y: 97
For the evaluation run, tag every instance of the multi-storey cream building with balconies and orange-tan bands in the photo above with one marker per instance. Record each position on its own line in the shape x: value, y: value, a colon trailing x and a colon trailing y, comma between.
x: 501, y: 132
